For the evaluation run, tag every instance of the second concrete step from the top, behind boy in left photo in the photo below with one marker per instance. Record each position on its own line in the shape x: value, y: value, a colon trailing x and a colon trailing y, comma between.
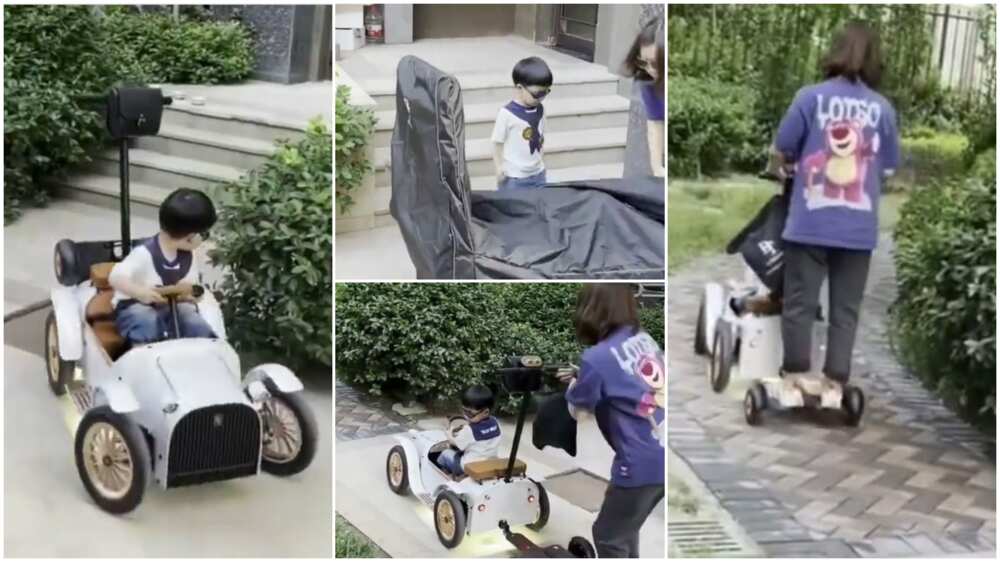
x: 208, y: 146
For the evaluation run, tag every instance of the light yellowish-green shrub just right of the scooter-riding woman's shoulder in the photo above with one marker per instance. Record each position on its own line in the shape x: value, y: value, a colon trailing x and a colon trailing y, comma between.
x: 928, y: 155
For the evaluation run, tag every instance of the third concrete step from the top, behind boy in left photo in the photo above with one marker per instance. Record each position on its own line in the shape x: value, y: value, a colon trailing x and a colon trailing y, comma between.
x: 166, y: 172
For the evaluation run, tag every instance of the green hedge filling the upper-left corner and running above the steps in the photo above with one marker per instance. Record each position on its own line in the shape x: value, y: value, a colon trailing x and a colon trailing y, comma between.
x: 54, y: 53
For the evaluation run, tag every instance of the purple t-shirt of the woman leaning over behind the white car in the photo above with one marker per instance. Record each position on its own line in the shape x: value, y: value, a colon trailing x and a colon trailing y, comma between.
x: 622, y: 380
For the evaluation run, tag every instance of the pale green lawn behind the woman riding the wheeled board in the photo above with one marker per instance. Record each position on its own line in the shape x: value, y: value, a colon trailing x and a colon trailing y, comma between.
x: 704, y: 215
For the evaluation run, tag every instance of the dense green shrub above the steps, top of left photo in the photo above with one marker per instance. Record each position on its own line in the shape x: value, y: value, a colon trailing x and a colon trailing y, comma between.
x: 154, y: 48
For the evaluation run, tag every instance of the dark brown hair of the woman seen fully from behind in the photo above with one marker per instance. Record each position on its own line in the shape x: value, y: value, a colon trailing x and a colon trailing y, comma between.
x: 856, y: 54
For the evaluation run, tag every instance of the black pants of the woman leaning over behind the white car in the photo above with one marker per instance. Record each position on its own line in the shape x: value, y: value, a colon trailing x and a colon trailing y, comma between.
x: 616, y: 531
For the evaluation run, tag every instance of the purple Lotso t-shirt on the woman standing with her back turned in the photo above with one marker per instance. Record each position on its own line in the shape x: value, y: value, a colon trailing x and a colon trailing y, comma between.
x: 843, y: 138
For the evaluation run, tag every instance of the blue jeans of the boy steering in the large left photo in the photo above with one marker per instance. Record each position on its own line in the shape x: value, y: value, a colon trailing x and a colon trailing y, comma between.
x: 142, y: 323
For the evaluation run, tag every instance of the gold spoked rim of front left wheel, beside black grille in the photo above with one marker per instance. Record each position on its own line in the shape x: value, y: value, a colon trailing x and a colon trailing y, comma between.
x: 108, y: 461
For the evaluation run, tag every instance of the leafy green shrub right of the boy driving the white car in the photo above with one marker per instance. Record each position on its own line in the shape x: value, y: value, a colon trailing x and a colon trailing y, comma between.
x: 274, y: 242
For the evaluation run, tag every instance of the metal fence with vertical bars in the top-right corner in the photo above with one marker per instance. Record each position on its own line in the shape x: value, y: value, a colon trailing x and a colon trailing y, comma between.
x: 960, y: 56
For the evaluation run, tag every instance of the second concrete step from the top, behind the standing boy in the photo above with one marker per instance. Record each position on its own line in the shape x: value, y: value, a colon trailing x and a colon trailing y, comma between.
x: 566, y: 114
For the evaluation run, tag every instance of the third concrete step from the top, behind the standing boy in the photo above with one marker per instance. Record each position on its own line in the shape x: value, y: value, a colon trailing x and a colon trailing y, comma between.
x: 562, y: 150
